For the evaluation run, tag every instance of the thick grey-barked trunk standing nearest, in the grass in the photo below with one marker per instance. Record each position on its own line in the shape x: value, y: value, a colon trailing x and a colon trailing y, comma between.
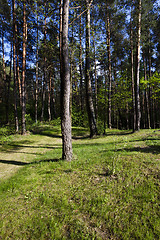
x: 65, y: 88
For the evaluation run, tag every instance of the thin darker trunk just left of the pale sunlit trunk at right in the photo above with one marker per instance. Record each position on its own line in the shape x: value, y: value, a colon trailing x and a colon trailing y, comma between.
x: 132, y: 76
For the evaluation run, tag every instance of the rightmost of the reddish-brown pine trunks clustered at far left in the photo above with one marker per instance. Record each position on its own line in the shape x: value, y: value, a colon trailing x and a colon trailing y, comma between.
x: 24, y: 69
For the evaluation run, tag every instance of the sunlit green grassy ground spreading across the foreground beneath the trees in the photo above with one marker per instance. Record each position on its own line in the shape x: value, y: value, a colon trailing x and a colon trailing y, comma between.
x: 109, y: 191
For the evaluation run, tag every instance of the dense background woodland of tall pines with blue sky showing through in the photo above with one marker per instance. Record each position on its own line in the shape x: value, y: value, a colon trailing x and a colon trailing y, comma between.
x: 124, y: 57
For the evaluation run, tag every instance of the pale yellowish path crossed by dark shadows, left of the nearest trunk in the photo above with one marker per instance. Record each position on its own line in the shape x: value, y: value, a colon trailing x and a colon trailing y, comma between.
x: 22, y: 151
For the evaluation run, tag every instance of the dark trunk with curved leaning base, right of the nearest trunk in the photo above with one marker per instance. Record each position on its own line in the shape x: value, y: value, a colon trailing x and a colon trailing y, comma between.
x: 89, y: 101
